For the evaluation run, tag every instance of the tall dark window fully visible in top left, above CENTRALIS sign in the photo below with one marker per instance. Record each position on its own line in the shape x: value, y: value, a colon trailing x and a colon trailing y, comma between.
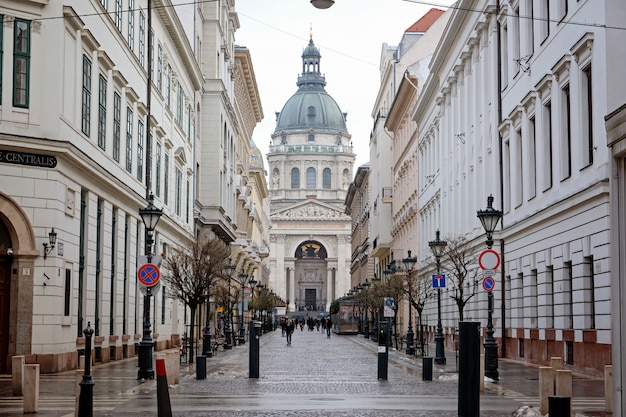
x: 21, y: 63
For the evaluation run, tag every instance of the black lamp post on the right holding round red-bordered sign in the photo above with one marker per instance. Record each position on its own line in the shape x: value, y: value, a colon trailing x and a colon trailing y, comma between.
x: 489, y: 219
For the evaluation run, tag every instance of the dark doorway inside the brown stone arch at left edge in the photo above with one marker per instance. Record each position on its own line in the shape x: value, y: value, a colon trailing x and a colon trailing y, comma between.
x: 6, y: 252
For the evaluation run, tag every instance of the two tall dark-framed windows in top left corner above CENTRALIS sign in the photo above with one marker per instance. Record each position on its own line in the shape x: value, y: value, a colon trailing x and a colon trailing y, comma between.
x: 21, y: 61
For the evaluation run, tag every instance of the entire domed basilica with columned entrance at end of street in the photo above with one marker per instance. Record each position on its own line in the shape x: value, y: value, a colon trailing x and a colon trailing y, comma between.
x: 310, y: 164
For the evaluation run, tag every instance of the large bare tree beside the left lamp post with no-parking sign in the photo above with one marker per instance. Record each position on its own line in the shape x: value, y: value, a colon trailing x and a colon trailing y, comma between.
x: 191, y: 273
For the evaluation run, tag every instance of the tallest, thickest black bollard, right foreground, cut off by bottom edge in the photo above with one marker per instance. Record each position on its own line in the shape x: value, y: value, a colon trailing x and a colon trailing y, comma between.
x: 469, y: 369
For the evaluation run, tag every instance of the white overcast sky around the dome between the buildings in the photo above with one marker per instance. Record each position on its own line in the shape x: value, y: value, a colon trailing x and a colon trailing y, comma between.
x: 349, y: 36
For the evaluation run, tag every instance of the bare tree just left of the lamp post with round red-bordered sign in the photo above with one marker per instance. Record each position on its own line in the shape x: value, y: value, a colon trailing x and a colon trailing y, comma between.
x: 460, y: 257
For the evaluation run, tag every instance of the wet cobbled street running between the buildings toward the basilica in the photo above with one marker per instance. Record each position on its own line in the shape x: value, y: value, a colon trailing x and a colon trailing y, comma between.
x: 314, y: 376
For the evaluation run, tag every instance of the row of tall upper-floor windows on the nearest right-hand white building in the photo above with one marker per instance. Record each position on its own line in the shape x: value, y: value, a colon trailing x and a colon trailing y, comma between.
x: 556, y: 136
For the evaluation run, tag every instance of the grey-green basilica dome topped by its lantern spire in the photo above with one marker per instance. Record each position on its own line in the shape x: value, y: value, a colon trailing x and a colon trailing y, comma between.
x: 311, y: 107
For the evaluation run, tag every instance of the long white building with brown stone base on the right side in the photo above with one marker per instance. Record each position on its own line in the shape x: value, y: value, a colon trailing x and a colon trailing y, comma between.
x: 515, y: 108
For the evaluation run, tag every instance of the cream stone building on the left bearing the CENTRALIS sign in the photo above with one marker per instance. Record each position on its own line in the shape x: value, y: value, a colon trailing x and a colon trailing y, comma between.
x: 77, y: 126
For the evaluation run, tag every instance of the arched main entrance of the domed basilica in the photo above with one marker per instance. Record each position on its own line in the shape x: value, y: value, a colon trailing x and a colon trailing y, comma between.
x: 311, y: 280
